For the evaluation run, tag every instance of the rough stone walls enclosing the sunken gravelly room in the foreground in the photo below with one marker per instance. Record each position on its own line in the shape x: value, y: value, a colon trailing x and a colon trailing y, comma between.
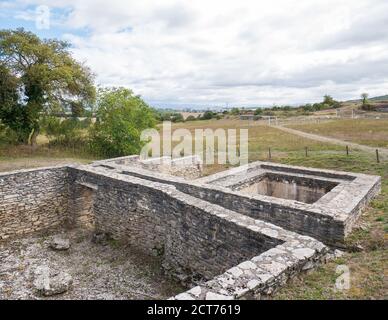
x: 192, y: 227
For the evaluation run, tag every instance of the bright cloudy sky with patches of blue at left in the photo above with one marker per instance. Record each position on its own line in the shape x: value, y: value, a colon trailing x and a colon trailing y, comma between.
x: 219, y: 52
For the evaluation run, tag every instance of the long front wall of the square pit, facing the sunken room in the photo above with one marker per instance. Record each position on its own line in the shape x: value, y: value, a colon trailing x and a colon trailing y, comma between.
x: 313, y: 222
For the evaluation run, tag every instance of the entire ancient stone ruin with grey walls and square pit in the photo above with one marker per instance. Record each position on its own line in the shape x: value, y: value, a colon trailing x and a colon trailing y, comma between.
x: 241, y: 233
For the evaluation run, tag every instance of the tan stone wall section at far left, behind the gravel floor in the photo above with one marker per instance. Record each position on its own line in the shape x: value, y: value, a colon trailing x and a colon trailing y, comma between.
x: 32, y: 200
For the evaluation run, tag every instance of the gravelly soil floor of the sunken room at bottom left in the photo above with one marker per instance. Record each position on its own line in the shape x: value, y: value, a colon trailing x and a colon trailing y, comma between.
x: 110, y: 271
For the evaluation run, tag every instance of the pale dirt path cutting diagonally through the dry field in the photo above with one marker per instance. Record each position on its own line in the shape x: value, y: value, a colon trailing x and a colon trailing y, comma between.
x: 382, y: 151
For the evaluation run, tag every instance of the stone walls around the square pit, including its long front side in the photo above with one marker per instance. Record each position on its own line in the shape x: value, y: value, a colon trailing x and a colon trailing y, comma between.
x: 329, y: 219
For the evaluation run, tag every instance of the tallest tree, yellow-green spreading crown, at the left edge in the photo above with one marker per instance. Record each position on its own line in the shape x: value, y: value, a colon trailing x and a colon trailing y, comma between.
x: 45, y: 78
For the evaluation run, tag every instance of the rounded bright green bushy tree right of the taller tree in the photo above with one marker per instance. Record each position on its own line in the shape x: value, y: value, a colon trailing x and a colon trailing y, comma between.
x: 121, y: 117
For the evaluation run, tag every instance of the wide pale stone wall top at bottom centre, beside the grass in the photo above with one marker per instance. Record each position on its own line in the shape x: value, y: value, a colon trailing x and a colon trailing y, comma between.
x: 262, y: 275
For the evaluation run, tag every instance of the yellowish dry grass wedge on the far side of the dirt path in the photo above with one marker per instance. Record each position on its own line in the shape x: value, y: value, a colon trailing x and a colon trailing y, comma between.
x: 363, y: 131
